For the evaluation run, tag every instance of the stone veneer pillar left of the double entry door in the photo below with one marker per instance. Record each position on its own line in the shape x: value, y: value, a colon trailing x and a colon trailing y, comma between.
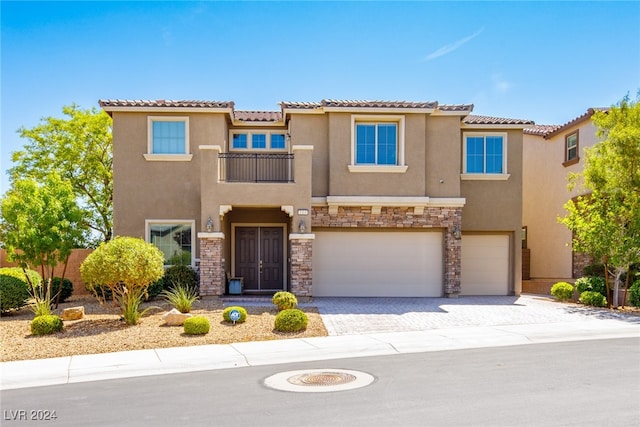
x: 212, y: 272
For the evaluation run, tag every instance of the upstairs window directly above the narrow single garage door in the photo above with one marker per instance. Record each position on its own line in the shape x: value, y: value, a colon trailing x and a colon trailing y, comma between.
x: 484, y: 155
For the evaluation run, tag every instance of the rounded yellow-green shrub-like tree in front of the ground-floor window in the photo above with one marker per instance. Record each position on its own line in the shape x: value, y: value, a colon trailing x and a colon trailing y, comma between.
x: 127, y: 266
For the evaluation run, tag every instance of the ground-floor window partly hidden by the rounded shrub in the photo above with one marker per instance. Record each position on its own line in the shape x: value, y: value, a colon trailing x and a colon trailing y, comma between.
x: 175, y: 238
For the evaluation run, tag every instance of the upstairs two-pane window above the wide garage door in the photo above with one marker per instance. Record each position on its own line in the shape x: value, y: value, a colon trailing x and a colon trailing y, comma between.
x: 377, y: 144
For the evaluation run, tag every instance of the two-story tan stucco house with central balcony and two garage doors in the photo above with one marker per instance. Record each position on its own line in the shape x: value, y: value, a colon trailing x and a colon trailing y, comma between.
x: 330, y: 198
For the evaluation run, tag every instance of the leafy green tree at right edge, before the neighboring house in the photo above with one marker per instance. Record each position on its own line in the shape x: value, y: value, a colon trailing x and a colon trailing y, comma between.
x: 606, y: 221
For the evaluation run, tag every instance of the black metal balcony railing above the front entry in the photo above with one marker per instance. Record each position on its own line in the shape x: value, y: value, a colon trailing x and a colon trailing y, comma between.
x: 256, y: 167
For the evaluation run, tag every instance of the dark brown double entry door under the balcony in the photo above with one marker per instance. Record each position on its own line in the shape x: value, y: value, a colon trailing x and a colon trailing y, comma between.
x: 259, y: 257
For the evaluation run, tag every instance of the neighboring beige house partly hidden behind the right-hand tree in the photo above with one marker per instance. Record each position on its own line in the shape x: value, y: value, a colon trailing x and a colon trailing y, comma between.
x: 550, y: 154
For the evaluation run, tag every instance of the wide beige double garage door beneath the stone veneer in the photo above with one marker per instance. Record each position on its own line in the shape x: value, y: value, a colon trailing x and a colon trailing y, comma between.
x: 377, y: 264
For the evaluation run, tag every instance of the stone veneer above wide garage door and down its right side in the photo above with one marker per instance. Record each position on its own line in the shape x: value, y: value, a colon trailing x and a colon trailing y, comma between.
x: 404, y: 217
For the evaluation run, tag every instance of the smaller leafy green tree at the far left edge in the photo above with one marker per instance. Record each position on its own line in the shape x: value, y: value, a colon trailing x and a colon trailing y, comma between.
x: 40, y: 224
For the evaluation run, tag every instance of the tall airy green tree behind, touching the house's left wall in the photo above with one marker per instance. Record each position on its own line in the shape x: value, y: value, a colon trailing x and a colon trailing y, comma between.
x: 79, y: 148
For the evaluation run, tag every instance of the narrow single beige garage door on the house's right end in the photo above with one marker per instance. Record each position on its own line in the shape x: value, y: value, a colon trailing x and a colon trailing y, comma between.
x: 485, y: 265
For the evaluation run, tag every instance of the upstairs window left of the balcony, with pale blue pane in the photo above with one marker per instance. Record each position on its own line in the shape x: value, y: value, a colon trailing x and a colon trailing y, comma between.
x: 168, y: 139
